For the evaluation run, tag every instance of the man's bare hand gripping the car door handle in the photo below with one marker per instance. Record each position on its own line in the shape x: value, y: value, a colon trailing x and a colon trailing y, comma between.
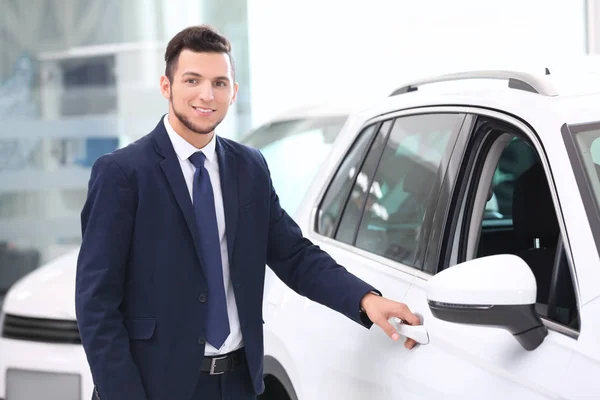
x: 380, y: 310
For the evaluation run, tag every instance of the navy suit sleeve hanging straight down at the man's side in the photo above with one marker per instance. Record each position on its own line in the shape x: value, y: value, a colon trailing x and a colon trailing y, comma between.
x: 107, y: 225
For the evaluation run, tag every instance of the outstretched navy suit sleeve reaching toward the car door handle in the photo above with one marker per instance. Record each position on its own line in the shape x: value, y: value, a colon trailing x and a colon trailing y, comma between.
x: 309, y: 270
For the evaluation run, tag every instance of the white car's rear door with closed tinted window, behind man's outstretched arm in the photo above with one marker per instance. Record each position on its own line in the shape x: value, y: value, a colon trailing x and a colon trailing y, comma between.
x: 374, y: 219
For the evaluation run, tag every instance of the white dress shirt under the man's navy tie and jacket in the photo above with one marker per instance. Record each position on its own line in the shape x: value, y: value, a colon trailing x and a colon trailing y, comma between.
x: 184, y: 150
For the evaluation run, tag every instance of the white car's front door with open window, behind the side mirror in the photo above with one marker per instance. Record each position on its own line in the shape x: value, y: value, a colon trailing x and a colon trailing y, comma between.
x: 474, y: 362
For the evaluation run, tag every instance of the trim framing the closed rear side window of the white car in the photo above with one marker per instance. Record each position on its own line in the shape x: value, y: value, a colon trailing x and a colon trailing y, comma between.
x: 427, y: 225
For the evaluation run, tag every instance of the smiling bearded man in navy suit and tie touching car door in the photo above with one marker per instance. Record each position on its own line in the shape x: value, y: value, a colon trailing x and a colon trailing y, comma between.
x: 177, y: 229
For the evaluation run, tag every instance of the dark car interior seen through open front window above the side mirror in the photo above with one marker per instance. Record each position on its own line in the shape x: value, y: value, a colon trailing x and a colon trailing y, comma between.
x: 511, y: 176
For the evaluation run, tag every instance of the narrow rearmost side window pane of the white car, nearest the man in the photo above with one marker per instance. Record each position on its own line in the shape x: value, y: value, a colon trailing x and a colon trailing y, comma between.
x: 330, y: 208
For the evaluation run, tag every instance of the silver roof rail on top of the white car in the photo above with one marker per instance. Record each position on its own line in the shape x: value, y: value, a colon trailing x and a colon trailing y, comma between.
x: 516, y: 80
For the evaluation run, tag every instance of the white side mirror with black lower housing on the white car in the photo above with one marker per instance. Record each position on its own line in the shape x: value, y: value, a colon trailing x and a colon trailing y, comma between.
x: 498, y: 290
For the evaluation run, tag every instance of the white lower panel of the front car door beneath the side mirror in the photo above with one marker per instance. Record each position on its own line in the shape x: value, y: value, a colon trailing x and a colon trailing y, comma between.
x: 465, y: 362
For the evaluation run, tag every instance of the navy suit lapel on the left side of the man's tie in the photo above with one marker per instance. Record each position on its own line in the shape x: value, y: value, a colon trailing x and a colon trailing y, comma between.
x: 172, y: 171
